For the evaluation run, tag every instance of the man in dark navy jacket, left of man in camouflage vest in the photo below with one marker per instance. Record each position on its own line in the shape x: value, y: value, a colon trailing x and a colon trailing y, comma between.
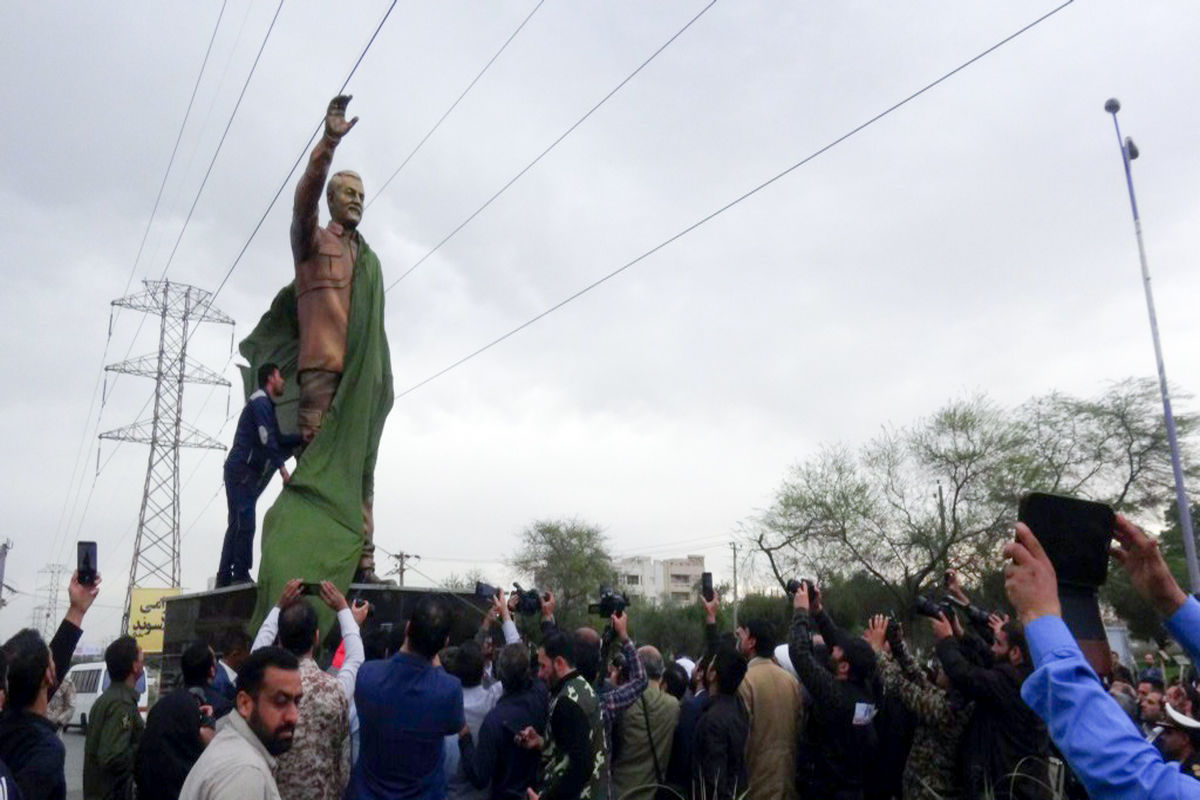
x: 493, y: 755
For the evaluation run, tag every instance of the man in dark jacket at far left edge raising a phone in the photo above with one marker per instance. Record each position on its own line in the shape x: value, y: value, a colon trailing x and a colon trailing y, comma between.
x: 29, y: 744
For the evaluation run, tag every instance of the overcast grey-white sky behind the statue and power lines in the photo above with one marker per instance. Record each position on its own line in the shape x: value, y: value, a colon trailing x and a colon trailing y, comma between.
x: 979, y: 239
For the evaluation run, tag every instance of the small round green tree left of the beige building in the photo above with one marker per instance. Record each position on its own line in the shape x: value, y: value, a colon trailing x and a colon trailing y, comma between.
x: 569, y: 558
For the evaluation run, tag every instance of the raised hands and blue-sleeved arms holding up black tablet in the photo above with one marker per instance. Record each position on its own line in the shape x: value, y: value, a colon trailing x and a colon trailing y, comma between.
x: 1100, y: 742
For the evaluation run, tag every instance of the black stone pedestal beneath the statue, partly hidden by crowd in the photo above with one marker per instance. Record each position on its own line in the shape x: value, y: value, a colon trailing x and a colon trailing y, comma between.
x: 209, y: 616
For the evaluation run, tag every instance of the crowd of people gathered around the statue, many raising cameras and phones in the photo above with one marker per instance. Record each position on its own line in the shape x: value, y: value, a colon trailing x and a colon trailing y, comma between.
x: 809, y: 713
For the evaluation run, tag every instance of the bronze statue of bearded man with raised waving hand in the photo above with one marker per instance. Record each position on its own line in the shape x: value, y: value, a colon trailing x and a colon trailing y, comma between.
x: 325, y: 274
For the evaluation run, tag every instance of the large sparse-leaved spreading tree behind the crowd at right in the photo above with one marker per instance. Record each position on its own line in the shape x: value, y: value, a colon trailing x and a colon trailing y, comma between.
x: 944, y: 492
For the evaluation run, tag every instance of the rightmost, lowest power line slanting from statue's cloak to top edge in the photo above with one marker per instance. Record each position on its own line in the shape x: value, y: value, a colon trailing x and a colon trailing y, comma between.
x: 729, y: 206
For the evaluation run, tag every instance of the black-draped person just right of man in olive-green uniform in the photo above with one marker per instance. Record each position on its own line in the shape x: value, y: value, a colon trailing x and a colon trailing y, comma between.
x: 170, y: 747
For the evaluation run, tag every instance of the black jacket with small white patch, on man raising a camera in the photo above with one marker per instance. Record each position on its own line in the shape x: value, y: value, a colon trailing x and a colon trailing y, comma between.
x: 842, y: 731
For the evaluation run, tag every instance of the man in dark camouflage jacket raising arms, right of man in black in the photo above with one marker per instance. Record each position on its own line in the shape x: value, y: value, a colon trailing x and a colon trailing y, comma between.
x: 943, y: 713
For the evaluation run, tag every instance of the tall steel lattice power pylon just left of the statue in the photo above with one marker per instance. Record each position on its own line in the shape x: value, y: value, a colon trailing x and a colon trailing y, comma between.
x: 181, y: 309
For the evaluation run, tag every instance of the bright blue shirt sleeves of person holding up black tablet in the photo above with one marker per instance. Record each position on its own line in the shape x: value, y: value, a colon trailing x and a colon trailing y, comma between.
x: 1100, y: 742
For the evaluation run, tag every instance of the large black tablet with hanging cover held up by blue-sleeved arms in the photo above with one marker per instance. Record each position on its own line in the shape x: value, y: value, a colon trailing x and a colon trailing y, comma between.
x: 1076, y: 534
